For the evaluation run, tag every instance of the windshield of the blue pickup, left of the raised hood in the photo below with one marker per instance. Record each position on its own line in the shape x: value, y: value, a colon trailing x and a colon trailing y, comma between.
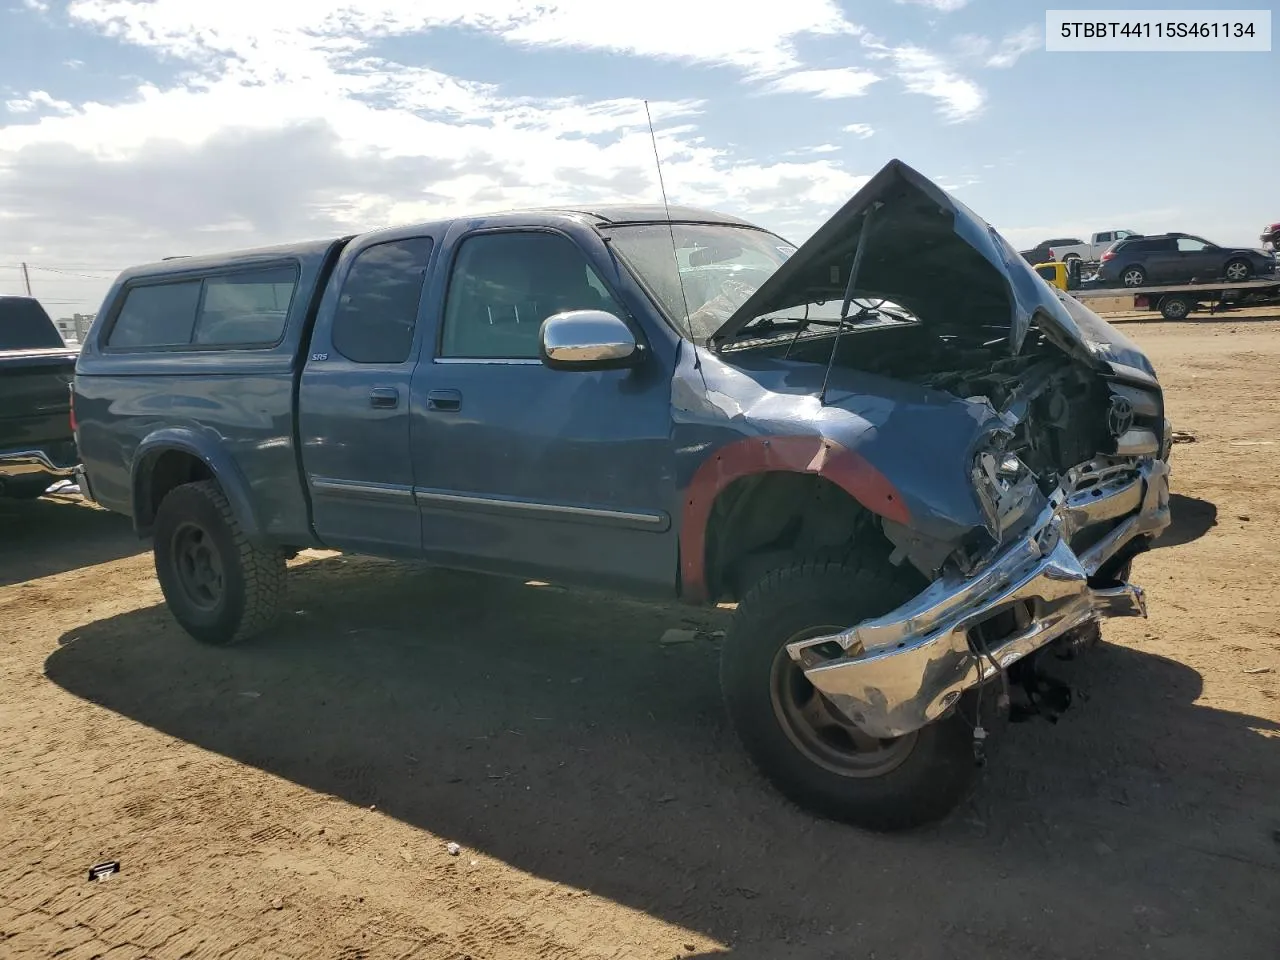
x: 721, y: 266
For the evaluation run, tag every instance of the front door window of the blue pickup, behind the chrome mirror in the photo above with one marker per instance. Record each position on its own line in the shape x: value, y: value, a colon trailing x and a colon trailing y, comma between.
x: 505, y: 285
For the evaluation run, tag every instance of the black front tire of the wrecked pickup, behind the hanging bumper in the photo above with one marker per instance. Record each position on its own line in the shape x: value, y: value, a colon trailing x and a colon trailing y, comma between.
x: 904, y: 783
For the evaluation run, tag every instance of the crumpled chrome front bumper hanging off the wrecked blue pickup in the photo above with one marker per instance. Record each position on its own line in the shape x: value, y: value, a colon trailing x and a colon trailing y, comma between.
x: 897, y: 674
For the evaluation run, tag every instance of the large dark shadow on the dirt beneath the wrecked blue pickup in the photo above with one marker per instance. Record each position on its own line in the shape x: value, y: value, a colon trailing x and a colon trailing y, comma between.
x: 557, y: 733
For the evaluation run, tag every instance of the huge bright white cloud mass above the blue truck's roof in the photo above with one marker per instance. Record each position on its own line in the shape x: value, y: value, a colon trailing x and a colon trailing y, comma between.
x: 286, y: 125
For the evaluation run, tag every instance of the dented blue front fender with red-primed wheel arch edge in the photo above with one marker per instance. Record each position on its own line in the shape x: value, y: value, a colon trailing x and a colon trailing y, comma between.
x: 902, y: 451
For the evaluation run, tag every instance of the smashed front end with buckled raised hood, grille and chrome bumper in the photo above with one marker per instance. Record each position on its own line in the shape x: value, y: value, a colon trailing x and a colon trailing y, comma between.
x: 1068, y: 468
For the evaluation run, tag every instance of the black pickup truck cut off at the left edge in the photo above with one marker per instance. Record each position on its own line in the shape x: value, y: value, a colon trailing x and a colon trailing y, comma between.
x: 36, y: 442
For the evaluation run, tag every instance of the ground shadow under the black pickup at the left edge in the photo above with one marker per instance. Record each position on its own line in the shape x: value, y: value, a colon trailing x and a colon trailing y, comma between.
x: 60, y: 533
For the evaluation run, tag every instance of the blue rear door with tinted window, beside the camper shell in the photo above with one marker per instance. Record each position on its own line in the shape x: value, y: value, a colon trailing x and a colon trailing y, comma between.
x: 354, y: 403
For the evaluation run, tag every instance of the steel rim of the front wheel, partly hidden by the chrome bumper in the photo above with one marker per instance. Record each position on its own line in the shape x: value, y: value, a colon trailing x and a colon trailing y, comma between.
x: 820, y: 732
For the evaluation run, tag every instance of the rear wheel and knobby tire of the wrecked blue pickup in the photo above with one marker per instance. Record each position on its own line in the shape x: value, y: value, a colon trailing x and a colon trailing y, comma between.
x: 220, y: 587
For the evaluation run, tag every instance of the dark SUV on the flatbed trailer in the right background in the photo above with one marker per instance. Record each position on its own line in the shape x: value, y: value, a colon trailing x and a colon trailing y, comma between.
x: 1180, y: 258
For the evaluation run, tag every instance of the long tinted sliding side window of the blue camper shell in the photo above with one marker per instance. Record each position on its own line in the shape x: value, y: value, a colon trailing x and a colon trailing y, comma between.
x: 246, y: 309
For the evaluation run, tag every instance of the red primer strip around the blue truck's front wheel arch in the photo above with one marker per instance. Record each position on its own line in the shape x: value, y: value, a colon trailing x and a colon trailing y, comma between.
x: 765, y: 455
